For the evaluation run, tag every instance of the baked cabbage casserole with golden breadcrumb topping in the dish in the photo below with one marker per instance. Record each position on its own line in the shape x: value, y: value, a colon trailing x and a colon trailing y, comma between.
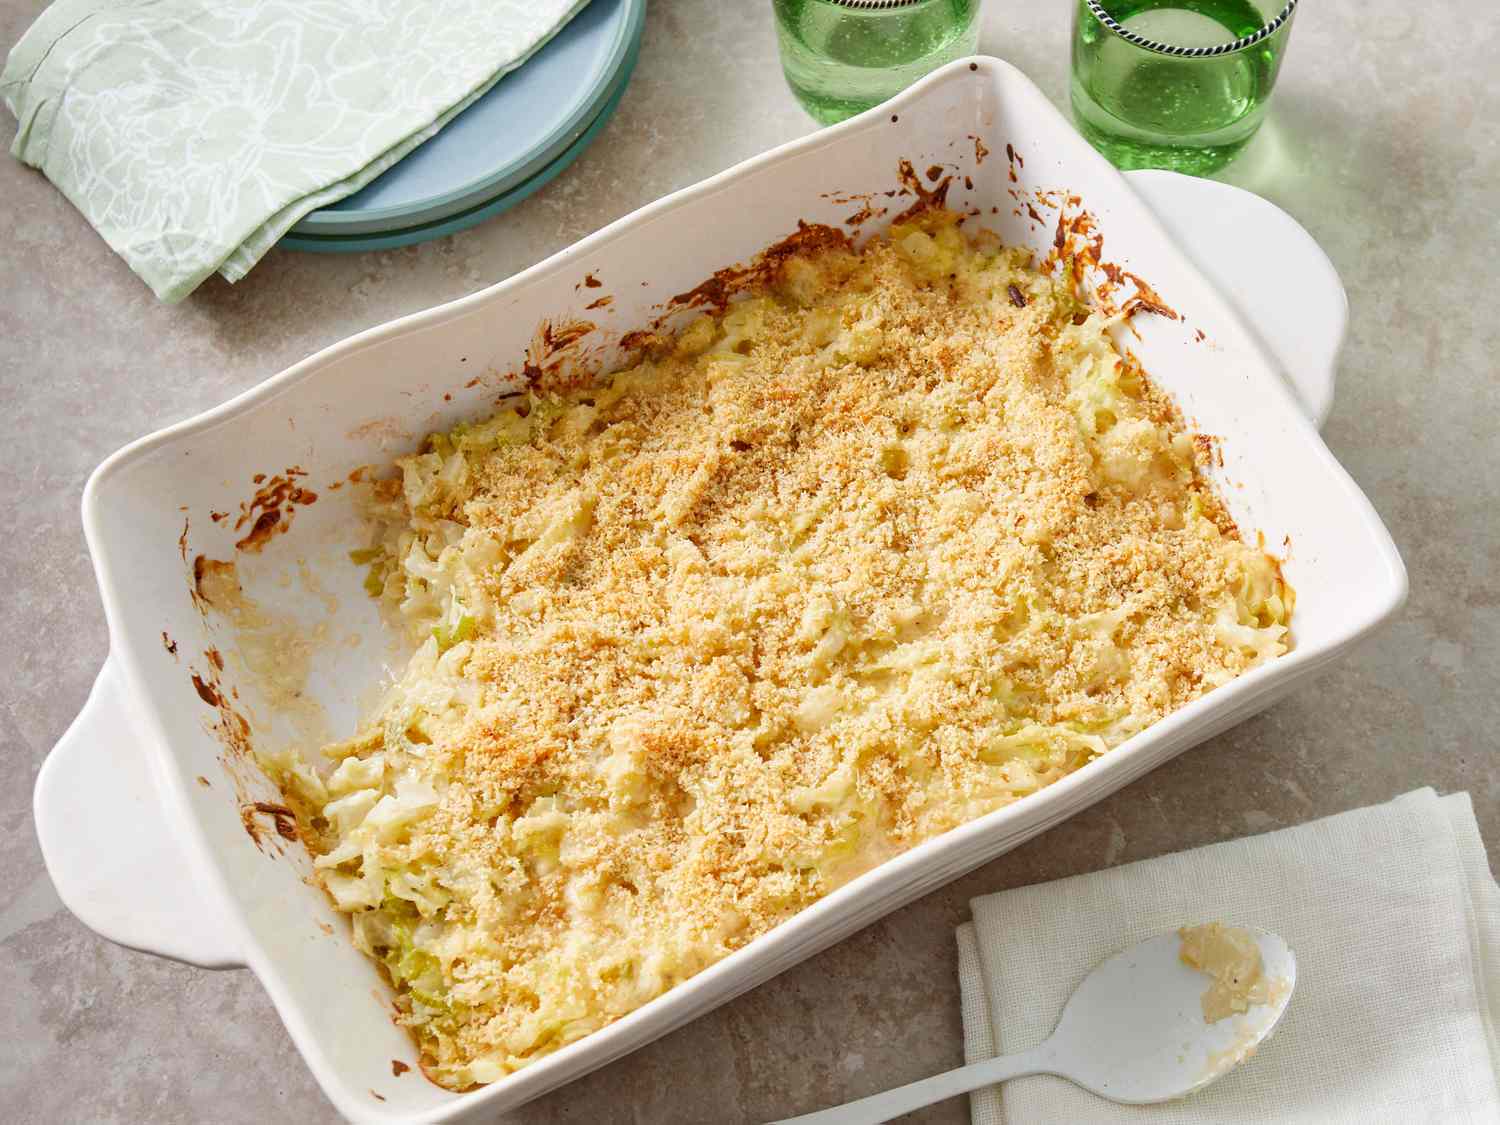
x: 881, y: 550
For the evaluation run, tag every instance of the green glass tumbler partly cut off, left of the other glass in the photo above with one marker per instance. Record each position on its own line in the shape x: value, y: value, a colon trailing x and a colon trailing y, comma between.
x: 844, y: 56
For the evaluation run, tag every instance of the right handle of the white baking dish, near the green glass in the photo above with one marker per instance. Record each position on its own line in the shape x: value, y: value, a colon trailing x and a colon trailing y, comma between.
x: 1270, y: 269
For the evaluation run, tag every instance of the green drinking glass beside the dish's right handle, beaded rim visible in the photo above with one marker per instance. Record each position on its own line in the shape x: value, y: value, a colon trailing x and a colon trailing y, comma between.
x: 1177, y: 85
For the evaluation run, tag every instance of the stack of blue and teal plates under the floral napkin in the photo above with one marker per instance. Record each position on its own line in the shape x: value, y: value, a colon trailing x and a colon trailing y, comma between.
x: 530, y: 127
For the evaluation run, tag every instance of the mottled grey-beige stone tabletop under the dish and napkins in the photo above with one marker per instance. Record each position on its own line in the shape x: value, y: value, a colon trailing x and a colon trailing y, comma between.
x: 1382, y: 143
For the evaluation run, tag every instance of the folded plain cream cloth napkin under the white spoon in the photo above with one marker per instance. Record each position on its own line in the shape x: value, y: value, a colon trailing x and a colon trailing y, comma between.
x: 1396, y: 923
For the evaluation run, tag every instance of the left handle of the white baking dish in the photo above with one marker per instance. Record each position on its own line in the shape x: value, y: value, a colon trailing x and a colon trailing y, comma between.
x: 110, y: 845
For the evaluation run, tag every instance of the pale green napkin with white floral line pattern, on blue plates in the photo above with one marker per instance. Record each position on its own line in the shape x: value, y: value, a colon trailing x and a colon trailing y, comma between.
x: 193, y: 134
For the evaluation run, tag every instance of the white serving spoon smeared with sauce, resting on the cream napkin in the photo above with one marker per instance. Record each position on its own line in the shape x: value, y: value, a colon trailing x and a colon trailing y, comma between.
x: 1132, y: 1033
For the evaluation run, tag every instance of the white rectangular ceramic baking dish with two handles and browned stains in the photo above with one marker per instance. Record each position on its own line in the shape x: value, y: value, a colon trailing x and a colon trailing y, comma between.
x: 157, y: 860
